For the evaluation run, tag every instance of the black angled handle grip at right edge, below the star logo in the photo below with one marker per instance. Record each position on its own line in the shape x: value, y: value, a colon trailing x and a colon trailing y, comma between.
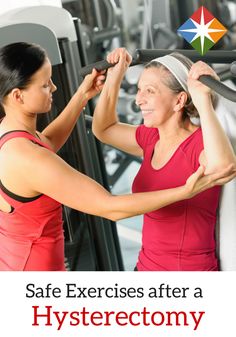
x: 218, y: 87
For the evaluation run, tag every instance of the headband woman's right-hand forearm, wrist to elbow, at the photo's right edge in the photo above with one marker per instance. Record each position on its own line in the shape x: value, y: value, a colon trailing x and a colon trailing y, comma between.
x: 217, y: 148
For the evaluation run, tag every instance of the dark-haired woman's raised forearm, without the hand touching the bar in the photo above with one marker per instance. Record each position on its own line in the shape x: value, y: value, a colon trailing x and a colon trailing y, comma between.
x: 60, y: 129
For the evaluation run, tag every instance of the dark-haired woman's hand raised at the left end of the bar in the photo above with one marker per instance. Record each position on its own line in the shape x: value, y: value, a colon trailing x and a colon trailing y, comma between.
x: 92, y: 84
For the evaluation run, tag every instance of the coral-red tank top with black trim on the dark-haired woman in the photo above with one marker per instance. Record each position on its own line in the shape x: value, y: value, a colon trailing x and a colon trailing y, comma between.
x: 31, y: 235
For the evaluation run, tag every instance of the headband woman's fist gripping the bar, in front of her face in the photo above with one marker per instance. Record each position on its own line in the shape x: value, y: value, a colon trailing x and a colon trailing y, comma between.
x: 121, y: 60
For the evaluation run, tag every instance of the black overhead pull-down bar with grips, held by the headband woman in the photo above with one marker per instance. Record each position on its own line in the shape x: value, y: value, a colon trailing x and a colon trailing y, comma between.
x: 146, y: 55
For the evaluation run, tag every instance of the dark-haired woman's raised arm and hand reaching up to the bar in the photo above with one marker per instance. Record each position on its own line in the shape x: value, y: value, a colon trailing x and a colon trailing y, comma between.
x: 58, y: 131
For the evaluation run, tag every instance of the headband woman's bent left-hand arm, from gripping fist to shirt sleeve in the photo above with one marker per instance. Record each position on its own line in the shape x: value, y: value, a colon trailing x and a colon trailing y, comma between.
x: 106, y: 125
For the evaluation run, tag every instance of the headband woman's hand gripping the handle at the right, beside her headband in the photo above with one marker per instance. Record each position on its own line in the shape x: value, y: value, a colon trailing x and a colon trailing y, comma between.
x: 195, y: 87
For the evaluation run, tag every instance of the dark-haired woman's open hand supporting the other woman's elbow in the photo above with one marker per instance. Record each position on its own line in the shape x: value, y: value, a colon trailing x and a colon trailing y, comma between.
x: 198, y: 182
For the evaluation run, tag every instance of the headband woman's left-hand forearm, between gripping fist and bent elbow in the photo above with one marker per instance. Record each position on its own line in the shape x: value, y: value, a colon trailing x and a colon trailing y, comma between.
x: 105, y: 114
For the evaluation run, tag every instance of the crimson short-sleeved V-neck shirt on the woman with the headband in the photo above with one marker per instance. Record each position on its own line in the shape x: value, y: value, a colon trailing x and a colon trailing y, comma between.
x: 180, y: 236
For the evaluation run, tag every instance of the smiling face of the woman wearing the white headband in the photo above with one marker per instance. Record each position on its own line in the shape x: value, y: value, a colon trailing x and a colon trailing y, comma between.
x: 154, y: 98
